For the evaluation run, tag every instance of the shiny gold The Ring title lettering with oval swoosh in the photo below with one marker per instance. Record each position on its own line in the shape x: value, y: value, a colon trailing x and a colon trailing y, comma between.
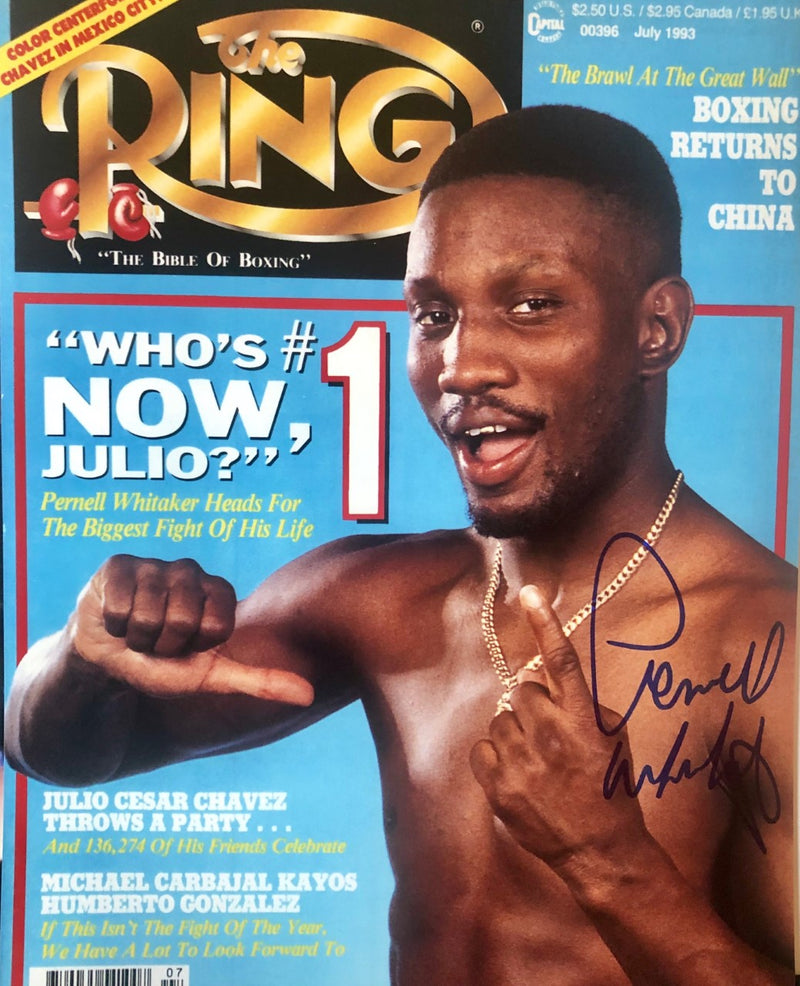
x: 228, y: 122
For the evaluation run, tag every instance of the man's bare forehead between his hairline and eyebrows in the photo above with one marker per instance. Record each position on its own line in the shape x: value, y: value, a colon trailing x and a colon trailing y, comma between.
x: 502, y: 222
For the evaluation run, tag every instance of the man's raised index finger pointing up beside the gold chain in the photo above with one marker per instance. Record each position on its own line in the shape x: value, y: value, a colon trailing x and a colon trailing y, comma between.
x: 565, y: 677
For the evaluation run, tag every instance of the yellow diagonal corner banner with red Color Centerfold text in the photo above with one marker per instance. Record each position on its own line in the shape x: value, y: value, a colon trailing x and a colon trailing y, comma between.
x: 74, y: 32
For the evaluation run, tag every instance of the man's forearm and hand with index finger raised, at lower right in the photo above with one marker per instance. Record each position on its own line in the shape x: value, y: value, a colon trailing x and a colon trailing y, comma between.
x: 542, y: 769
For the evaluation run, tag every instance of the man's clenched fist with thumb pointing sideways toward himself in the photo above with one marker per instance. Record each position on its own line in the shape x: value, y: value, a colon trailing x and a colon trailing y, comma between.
x: 162, y: 627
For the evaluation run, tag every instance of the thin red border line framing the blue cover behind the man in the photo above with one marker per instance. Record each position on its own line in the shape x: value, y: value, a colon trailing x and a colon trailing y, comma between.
x: 783, y: 312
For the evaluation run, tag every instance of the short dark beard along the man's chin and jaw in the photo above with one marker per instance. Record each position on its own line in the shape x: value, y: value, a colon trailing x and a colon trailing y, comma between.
x: 565, y: 493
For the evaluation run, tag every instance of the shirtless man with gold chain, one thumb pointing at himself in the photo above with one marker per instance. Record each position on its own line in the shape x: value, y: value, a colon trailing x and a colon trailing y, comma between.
x: 557, y: 843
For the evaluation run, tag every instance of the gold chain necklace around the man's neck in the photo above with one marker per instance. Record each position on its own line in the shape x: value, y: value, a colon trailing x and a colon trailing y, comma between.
x: 504, y: 673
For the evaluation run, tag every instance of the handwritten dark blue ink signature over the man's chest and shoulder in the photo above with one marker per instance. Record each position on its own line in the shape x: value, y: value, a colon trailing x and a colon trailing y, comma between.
x: 730, y: 760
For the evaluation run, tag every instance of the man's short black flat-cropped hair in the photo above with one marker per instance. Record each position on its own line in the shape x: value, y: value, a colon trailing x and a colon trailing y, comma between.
x: 595, y: 150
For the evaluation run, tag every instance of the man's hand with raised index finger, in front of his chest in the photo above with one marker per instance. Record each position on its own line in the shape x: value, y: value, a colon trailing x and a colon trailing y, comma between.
x: 543, y: 766
